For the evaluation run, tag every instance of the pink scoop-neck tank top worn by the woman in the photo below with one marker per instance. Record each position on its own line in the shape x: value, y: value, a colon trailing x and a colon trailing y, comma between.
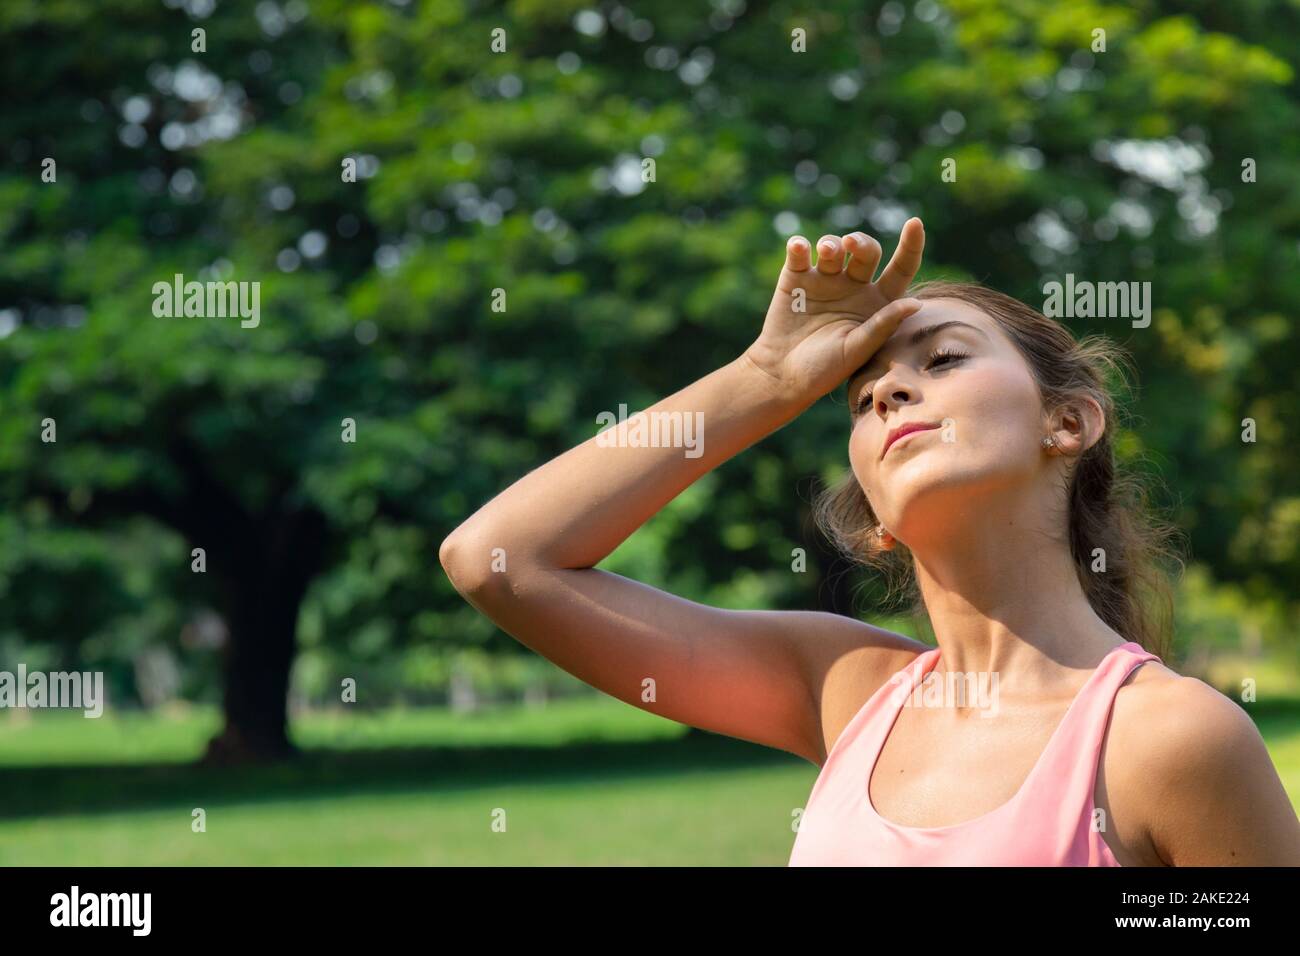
x: 1047, y: 824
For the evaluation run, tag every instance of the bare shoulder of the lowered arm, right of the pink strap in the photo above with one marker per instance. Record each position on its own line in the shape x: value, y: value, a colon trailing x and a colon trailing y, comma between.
x: 1191, y: 768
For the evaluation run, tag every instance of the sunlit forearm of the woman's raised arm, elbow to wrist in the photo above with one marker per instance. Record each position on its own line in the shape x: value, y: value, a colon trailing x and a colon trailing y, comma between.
x: 577, y: 509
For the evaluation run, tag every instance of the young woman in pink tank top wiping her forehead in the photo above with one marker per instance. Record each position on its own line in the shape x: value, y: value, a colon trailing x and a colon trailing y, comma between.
x: 981, y: 455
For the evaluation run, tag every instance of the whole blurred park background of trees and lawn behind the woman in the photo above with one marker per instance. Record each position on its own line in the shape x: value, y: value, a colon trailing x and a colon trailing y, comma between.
x: 380, y: 170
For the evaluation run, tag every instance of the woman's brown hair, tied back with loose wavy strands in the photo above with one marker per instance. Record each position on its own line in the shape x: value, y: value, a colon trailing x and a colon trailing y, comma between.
x: 1108, y: 507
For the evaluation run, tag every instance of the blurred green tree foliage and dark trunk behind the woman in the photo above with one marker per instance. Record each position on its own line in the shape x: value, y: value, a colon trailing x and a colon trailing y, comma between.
x: 522, y: 171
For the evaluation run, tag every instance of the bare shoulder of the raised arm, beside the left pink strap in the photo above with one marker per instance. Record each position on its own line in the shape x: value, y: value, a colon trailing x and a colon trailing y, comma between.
x: 847, y: 663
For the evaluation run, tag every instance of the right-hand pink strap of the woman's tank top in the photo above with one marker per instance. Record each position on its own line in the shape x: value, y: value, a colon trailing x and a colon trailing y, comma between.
x: 1067, y: 773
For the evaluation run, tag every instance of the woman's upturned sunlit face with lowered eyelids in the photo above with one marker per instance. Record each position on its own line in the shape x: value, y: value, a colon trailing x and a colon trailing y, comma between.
x: 972, y: 384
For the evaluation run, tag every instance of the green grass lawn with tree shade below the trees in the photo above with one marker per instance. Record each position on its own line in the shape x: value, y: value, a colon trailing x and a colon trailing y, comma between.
x: 590, y: 781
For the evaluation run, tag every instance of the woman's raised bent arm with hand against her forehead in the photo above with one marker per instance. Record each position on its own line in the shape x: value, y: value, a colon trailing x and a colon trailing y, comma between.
x: 527, y: 557
